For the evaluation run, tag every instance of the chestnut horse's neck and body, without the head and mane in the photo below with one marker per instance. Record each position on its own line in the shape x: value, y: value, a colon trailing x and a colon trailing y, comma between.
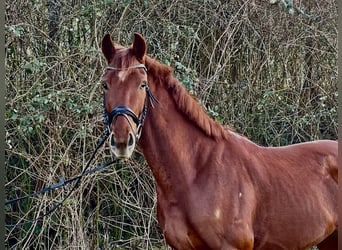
x: 232, y: 190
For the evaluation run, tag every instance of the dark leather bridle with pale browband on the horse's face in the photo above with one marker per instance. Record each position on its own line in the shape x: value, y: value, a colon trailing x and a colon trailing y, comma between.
x: 125, y: 111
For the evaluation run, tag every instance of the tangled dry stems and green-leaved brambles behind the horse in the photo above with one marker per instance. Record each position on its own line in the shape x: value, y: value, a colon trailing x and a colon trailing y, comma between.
x: 252, y: 64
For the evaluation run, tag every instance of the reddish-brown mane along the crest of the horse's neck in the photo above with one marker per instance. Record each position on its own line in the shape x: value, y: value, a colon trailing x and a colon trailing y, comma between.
x: 163, y: 75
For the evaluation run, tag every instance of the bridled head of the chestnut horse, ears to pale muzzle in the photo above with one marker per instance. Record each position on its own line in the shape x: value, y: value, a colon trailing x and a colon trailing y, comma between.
x: 126, y: 93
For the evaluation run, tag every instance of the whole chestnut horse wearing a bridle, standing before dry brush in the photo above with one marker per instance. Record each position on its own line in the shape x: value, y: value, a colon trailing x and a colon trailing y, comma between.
x: 215, y: 188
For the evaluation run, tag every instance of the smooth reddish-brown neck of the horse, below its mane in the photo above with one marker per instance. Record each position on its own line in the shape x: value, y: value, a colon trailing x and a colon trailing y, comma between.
x: 173, y: 145
